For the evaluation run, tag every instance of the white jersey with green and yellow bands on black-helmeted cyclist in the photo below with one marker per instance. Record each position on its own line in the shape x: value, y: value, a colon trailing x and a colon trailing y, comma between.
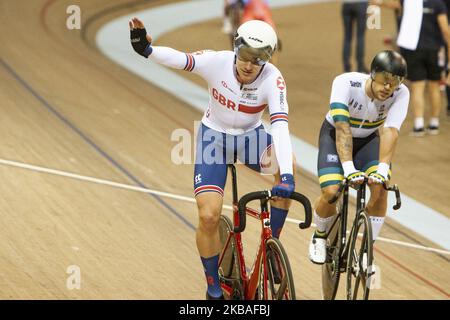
x: 349, y: 102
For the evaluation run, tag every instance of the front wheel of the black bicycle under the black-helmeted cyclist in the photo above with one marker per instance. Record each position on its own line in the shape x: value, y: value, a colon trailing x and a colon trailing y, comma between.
x: 359, y: 260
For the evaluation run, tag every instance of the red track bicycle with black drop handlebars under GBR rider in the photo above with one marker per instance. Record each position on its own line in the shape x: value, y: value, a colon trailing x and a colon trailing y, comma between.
x: 271, y: 274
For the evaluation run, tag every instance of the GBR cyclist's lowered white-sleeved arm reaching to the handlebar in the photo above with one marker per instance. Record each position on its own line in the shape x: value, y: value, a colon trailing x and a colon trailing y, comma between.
x: 278, y: 108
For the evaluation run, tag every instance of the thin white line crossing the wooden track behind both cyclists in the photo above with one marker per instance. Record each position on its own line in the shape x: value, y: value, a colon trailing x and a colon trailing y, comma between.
x: 171, y: 196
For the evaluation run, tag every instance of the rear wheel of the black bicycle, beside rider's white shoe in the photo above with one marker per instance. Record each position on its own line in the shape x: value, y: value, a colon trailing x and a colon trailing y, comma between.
x: 331, y: 268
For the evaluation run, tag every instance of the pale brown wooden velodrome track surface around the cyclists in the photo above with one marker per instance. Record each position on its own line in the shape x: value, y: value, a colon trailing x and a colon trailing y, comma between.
x: 65, y: 106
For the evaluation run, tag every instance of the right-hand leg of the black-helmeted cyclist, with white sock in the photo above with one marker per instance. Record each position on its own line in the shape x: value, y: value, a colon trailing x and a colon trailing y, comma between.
x: 366, y: 159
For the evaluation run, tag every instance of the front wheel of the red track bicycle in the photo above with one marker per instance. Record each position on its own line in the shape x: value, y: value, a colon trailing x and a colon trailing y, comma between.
x: 280, y: 279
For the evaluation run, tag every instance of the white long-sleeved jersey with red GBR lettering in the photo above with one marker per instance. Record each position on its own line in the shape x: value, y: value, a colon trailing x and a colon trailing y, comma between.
x: 236, y: 108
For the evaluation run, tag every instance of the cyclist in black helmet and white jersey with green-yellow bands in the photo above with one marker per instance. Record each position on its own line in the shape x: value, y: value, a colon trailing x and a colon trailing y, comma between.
x: 358, y: 139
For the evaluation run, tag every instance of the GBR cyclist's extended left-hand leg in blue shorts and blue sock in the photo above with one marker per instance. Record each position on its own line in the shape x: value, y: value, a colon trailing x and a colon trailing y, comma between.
x: 209, y: 181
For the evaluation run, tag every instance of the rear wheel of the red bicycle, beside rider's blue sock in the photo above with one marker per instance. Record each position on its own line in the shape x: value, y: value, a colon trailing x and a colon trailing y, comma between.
x: 229, y: 268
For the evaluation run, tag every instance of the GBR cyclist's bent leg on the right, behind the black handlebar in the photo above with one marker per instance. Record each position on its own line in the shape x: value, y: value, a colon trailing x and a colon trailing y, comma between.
x: 255, y: 150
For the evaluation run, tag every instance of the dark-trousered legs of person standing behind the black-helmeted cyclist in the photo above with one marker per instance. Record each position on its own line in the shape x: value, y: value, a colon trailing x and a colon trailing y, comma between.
x: 354, y: 11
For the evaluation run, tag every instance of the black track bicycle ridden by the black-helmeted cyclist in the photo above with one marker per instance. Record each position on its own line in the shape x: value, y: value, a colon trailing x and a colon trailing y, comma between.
x: 353, y: 255
